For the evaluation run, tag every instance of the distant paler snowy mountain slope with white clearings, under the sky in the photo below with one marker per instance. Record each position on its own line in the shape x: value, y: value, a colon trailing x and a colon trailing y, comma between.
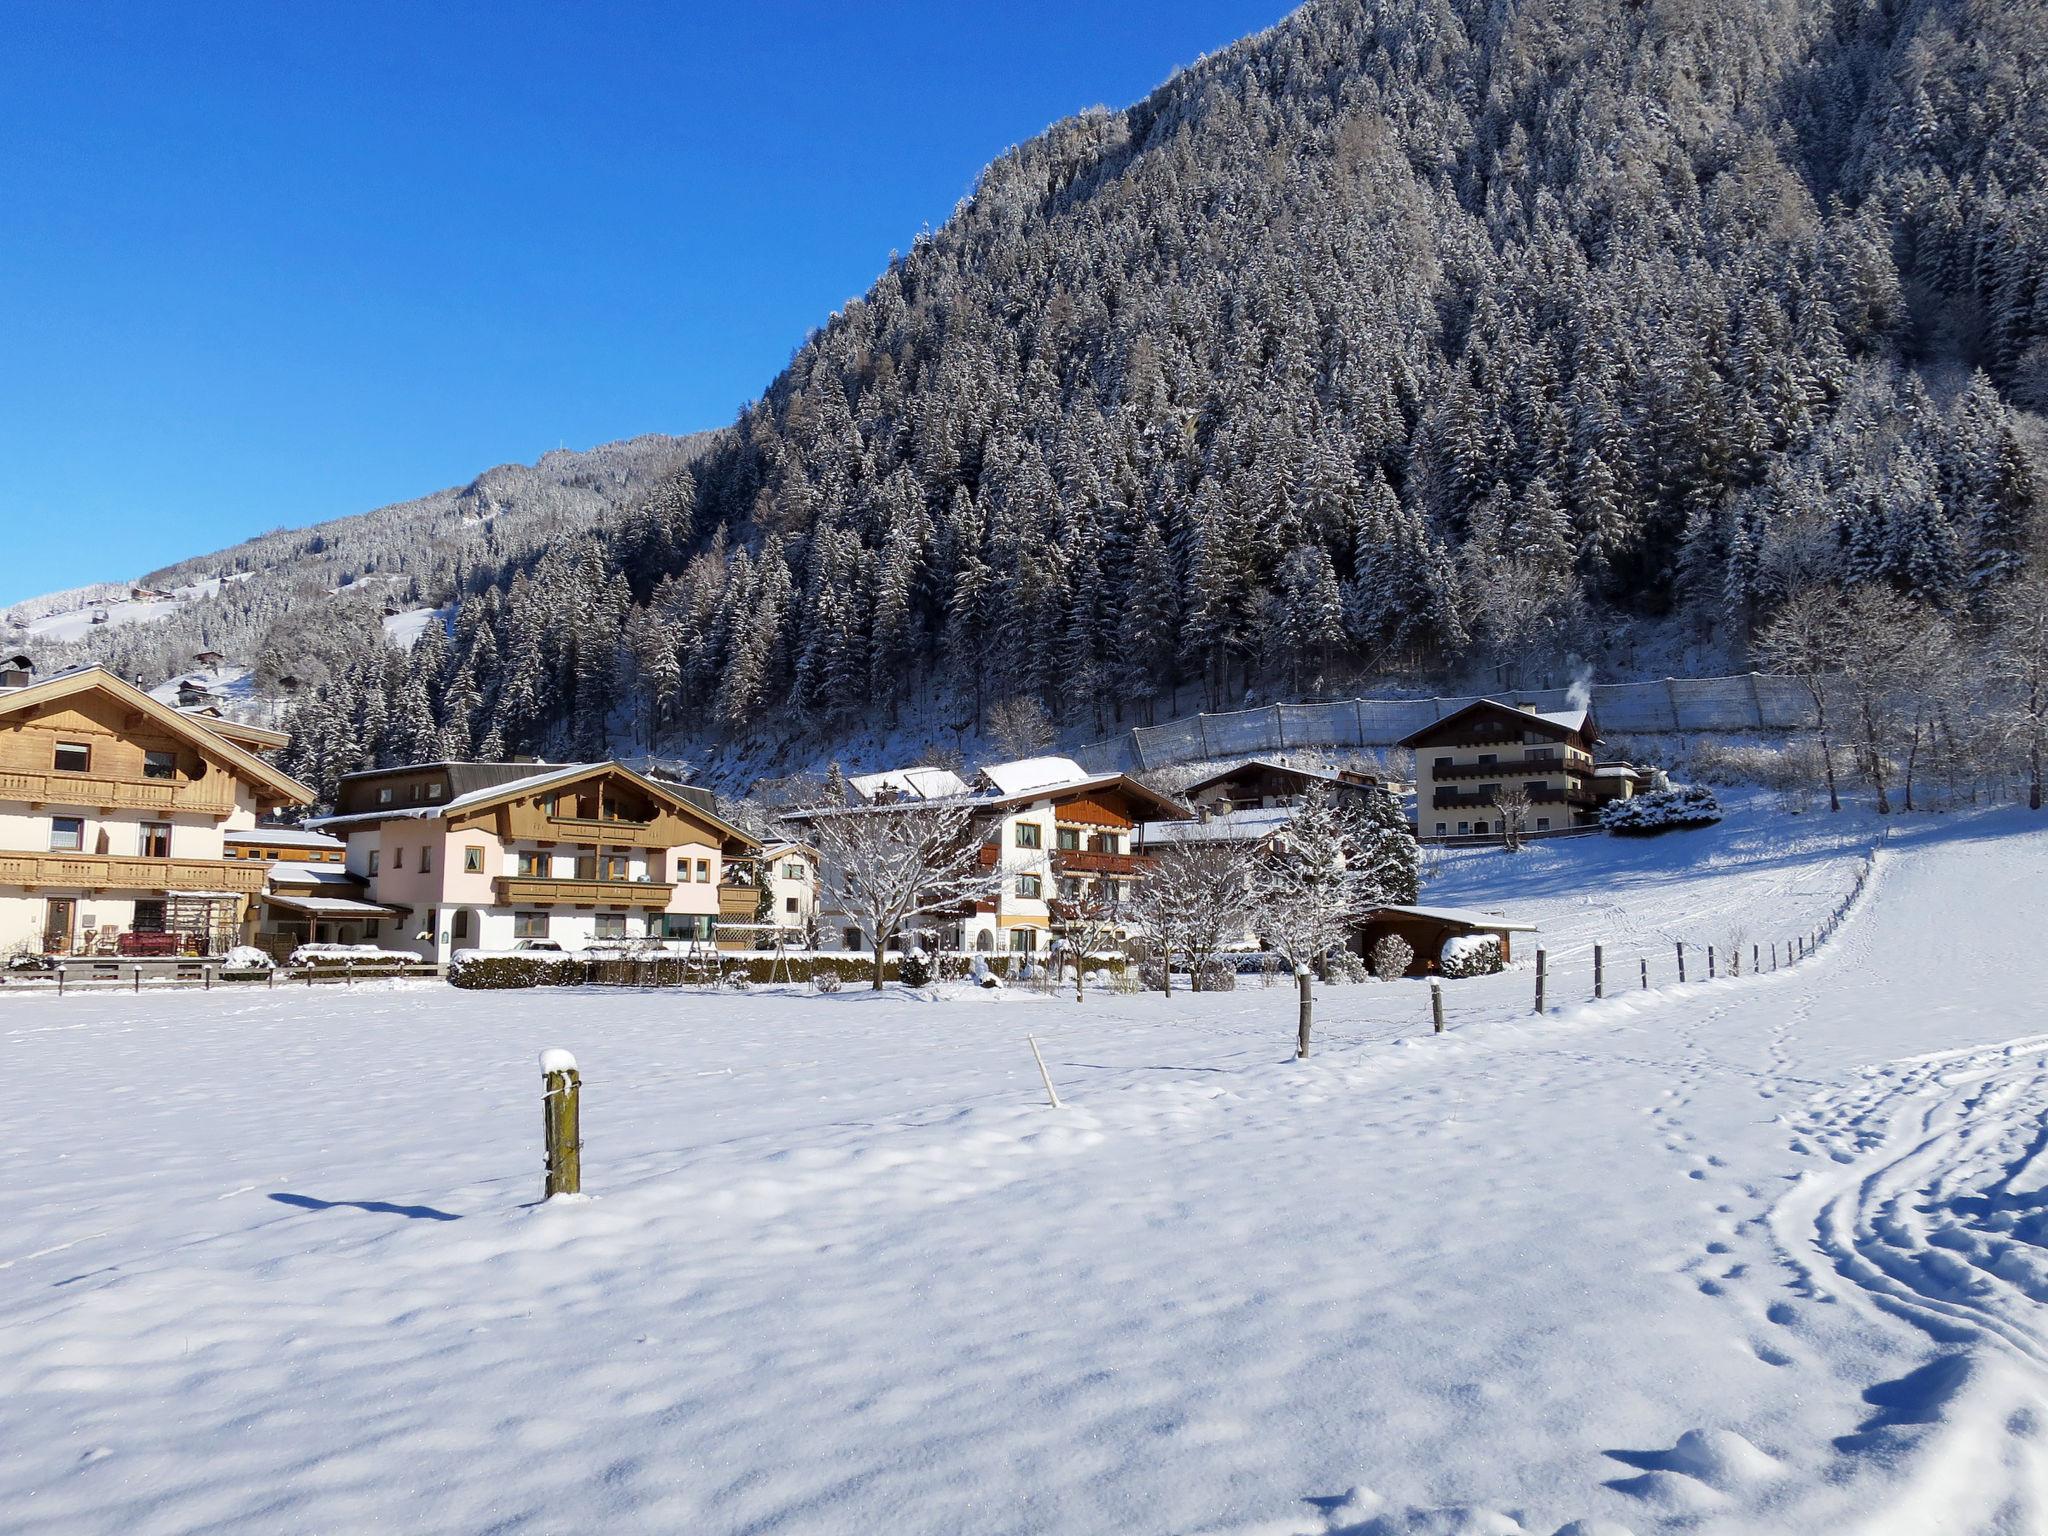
x: 308, y: 601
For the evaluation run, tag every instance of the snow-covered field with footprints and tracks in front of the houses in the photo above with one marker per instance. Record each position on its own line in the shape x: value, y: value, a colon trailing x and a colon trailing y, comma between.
x: 1754, y: 1256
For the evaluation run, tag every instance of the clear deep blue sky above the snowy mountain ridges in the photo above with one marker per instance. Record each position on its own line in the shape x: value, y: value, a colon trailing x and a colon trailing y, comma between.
x: 273, y: 263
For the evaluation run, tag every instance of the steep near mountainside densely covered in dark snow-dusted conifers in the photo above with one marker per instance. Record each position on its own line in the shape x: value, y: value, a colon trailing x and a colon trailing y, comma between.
x: 1406, y: 335
